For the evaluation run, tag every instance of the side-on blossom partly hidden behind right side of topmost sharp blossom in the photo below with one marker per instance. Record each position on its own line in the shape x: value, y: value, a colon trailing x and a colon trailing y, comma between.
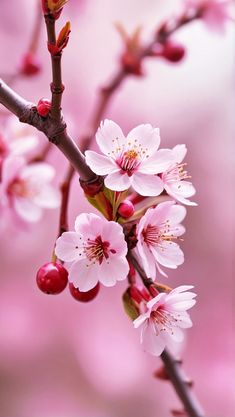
x: 175, y: 176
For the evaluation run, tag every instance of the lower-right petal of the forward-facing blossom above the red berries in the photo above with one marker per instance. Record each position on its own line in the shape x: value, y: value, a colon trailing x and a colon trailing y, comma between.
x: 113, y: 270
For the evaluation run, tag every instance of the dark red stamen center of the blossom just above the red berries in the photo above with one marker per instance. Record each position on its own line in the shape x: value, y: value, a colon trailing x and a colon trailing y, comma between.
x: 97, y: 250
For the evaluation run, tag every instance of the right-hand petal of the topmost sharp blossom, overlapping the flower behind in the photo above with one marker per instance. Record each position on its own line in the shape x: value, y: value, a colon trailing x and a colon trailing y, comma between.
x: 159, y: 162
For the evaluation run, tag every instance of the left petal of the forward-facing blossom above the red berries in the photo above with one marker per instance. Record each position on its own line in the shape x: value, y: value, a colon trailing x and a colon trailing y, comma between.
x: 69, y: 247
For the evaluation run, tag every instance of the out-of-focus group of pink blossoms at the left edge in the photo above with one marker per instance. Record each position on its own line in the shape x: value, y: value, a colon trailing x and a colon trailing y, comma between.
x: 25, y: 187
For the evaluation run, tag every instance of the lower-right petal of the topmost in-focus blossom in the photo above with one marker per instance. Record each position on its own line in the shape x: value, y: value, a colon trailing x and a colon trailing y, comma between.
x: 147, y: 185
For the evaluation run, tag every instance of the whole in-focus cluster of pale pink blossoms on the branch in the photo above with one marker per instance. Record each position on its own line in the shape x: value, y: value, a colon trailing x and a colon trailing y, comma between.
x: 100, y: 250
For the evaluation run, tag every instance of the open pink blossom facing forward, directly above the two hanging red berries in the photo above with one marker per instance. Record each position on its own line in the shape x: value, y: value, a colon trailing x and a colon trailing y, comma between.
x: 96, y: 252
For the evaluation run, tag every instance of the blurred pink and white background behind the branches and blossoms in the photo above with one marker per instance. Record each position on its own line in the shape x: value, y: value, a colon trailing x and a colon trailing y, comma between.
x: 60, y: 358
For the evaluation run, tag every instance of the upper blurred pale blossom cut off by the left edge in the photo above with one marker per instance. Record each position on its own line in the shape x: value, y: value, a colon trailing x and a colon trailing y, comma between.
x: 16, y: 140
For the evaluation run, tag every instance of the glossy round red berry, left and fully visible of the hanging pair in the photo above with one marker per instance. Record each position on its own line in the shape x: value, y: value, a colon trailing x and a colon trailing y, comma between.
x: 52, y: 278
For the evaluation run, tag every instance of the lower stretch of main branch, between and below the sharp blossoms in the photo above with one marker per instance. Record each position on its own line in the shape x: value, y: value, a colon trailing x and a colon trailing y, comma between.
x: 172, y: 365
